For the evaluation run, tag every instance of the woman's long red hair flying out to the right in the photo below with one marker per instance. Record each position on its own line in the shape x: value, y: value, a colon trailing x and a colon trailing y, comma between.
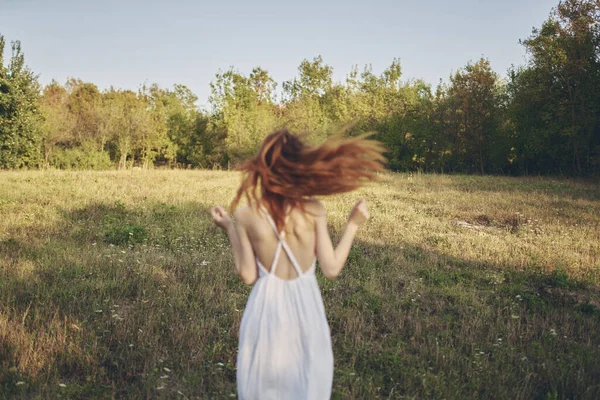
x: 286, y: 171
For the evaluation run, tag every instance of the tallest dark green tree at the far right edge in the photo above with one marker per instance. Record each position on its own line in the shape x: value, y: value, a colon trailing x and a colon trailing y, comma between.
x: 556, y: 105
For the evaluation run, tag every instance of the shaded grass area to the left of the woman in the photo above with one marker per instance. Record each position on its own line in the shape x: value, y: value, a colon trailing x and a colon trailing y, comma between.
x: 133, y: 291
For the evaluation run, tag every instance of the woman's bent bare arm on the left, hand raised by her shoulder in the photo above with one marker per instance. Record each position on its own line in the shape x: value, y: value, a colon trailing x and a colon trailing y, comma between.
x: 243, y: 256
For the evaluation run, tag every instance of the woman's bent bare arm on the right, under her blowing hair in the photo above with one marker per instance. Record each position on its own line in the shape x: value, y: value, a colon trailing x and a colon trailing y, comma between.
x: 332, y: 260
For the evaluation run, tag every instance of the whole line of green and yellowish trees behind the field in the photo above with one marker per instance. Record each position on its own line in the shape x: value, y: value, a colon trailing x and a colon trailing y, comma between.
x: 543, y: 118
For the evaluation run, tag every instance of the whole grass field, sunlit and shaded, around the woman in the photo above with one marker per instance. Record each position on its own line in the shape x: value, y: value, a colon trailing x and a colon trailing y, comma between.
x: 116, y: 285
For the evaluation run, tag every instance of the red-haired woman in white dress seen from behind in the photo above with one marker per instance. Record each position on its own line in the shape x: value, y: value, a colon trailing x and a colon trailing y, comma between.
x: 285, y: 345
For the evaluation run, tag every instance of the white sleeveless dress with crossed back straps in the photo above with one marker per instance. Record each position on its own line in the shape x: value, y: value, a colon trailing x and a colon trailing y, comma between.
x: 285, y: 343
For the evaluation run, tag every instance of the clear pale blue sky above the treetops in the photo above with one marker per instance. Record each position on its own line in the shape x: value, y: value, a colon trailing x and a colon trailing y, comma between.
x: 125, y: 43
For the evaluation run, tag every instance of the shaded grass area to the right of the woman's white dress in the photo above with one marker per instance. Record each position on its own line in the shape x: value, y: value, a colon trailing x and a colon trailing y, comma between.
x: 413, y: 322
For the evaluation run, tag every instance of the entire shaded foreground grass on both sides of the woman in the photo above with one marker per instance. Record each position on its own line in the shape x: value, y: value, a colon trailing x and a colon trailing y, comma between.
x: 143, y: 303
